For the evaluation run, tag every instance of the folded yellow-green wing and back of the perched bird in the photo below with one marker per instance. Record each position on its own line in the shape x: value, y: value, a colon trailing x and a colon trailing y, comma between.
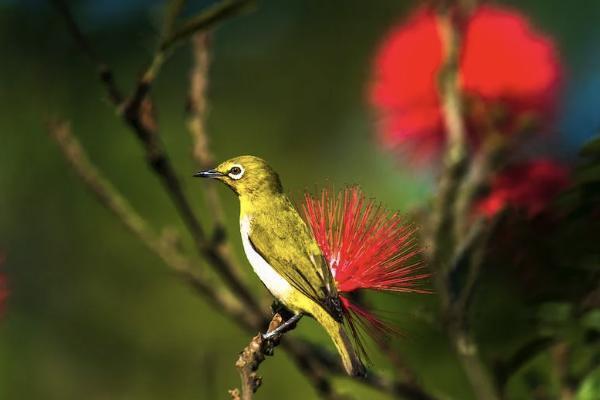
x: 284, y: 241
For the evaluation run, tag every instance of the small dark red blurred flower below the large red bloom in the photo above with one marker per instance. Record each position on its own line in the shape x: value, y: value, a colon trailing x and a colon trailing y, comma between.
x: 530, y: 187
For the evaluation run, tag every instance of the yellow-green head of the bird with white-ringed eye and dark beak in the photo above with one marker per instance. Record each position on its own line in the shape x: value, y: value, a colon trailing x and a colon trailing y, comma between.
x: 245, y: 175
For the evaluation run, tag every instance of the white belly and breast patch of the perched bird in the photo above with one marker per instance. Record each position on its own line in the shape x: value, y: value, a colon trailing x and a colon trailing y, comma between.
x: 277, y: 285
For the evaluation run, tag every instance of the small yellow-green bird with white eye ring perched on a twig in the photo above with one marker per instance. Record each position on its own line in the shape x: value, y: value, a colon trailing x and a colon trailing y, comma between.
x: 284, y: 252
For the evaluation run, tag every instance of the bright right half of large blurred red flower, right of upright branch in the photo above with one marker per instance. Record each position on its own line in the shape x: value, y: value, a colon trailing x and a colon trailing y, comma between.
x: 505, y: 60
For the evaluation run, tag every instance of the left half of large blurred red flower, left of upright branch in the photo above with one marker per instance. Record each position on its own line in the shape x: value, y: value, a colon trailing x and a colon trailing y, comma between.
x: 405, y: 86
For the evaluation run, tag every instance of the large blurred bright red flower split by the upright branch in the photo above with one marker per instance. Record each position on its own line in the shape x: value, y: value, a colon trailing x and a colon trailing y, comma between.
x: 503, y: 63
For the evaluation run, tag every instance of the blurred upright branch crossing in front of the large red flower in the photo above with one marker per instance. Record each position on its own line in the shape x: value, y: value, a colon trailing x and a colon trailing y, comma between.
x: 443, y: 221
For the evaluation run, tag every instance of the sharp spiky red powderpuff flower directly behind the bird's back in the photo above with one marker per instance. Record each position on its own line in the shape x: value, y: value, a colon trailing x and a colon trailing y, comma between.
x: 366, y: 247
